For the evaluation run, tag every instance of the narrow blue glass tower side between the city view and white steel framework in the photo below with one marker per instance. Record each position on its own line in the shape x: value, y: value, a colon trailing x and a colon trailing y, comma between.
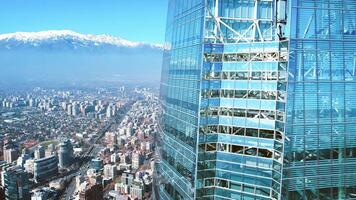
x: 180, y: 94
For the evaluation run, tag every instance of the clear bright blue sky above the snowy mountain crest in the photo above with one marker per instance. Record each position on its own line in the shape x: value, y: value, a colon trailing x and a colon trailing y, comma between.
x: 137, y: 20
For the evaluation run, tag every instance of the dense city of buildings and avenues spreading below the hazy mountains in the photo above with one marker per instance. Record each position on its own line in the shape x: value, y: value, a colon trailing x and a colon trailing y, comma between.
x: 80, y: 143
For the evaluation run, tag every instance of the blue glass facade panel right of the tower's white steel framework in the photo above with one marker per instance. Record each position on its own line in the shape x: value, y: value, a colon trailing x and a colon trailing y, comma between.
x: 320, y: 153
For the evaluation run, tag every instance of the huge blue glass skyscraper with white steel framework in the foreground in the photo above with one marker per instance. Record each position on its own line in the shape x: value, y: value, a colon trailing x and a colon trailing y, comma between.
x: 259, y: 100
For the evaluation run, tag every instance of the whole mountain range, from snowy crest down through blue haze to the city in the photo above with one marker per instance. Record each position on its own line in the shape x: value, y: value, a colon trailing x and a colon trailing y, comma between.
x: 67, y: 56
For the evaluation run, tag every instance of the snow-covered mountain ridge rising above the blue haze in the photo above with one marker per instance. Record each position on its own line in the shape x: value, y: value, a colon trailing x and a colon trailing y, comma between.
x: 57, y: 39
